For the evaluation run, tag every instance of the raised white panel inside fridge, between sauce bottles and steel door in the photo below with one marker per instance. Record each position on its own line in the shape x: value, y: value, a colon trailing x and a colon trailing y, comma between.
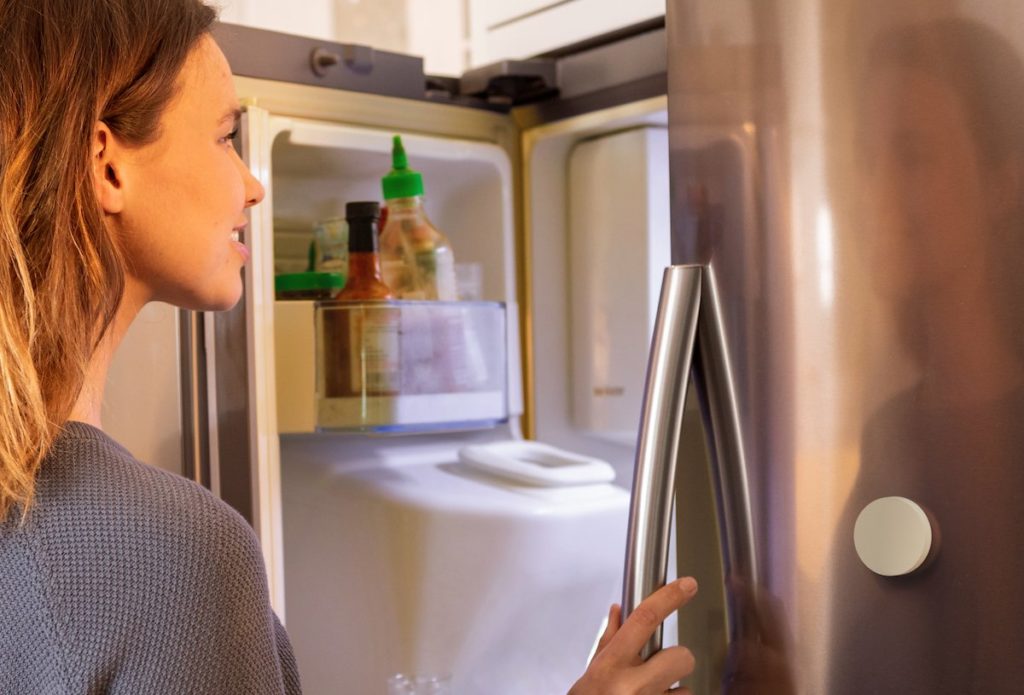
x: 620, y: 244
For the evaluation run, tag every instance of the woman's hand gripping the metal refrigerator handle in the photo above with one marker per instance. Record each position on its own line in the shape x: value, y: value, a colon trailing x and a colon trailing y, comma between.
x: 617, y: 669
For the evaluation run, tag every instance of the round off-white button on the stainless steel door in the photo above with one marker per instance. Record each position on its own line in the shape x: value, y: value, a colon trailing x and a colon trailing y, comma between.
x: 893, y: 537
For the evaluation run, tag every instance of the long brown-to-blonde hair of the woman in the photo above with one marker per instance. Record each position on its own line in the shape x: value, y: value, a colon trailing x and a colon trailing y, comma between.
x: 66, y: 65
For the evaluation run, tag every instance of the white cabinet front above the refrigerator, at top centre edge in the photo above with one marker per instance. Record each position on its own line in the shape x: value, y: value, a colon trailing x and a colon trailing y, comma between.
x: 520, y: 29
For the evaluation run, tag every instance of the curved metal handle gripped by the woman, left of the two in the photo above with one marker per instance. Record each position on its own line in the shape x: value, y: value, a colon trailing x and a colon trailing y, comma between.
x: 658, y: 448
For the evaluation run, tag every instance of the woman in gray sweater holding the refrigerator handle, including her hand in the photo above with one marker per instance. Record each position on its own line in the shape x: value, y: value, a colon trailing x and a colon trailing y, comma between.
x: 119, y: 186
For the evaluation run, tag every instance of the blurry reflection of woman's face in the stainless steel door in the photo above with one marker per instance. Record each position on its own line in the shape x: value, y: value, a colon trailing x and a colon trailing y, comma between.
x: 928, y: 206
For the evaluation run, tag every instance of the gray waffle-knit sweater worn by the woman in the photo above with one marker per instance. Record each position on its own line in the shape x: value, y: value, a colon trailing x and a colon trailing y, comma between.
x: 127, y: 580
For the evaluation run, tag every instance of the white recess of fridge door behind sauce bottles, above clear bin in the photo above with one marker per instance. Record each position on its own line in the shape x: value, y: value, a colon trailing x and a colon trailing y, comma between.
x: 318, y: 167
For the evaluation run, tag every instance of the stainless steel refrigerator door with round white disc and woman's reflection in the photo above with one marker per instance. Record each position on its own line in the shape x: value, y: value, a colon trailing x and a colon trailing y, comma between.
x: 852, y: 173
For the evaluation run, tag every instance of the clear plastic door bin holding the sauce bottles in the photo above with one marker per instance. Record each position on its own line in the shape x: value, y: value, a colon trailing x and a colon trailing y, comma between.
x: 410, y: 366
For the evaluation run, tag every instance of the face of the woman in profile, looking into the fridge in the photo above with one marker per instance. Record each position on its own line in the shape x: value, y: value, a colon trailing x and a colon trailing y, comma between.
x: 185, y: 195
